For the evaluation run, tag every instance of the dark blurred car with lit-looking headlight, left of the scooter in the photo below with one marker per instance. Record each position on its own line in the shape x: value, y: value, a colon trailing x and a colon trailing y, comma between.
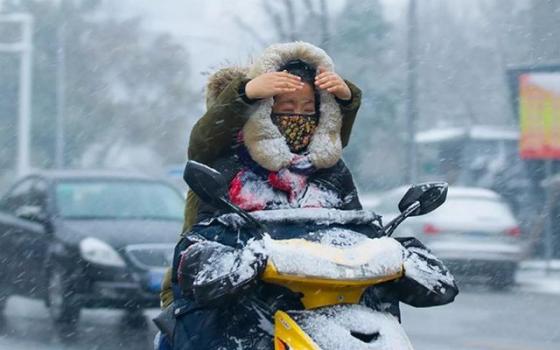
x: 82, y: 239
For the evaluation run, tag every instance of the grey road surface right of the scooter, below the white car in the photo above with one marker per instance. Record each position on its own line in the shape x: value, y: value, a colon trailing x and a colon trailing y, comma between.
x: 481, y: 319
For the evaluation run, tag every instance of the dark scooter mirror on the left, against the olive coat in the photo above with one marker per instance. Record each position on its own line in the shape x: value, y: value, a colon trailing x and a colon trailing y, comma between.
x: 207, y: 183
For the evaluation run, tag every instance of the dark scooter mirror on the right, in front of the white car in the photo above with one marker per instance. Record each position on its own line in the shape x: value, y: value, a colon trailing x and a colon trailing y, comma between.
x: 430, y: 195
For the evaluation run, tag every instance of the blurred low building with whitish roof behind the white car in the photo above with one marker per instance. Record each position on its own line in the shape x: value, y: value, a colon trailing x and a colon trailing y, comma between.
x: 480, y: 156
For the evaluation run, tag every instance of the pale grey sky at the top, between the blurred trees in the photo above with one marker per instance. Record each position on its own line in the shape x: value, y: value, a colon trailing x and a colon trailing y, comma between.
x: 208, y: 29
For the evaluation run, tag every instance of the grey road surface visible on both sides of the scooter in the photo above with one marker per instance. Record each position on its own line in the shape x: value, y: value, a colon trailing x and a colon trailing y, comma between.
x: 480, y: 319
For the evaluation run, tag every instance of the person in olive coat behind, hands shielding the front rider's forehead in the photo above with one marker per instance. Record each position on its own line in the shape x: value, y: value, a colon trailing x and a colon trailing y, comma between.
x: 214, y: 136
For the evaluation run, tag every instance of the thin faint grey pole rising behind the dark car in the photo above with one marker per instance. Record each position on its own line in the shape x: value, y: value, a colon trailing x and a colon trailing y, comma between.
x: 60, y: 96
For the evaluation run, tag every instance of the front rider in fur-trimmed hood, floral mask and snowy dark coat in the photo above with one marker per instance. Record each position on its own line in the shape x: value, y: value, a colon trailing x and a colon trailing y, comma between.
x: 288, y: 156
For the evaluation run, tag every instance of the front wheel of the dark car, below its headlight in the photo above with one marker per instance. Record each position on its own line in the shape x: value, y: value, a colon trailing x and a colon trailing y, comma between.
x: 63, y: 308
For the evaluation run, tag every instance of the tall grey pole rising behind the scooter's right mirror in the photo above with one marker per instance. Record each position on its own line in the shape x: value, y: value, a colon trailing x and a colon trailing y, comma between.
x: 412, y: 111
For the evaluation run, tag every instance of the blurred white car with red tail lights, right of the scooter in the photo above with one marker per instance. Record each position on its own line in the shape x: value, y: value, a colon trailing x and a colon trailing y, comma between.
x: 474, y: 232
